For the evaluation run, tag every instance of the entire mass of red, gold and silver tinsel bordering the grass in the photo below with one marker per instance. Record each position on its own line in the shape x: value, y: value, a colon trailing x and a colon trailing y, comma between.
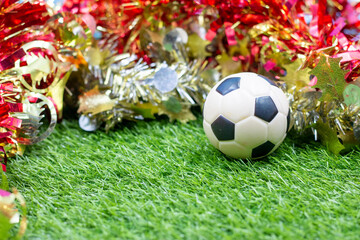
x: 114, y: 60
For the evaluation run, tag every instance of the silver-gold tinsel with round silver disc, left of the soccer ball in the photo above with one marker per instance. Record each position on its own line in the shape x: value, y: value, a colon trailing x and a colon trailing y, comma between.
x: 124, y: 86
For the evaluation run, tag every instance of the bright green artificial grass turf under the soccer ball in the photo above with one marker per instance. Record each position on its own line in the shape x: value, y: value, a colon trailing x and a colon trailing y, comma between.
x: 156, y: 180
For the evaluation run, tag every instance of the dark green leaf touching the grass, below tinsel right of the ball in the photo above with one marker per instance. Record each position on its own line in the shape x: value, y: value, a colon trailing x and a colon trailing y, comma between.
x: 329, y: 138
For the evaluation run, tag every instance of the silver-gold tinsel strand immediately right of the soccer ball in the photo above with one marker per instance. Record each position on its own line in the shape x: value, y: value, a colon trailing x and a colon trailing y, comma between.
x: 342, y: 120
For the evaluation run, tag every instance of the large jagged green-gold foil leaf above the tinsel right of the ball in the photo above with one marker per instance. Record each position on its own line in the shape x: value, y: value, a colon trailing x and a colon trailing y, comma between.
x: 330, y: 78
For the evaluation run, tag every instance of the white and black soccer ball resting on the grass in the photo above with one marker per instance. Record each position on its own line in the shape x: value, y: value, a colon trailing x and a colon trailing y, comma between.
x: 246, y: 116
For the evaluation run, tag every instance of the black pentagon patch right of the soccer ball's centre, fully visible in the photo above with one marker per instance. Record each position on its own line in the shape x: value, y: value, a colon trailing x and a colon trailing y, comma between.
x: 265, y: 108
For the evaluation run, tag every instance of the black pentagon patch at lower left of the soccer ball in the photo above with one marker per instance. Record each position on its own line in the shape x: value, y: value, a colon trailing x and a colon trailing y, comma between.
x: 223, y: 129
